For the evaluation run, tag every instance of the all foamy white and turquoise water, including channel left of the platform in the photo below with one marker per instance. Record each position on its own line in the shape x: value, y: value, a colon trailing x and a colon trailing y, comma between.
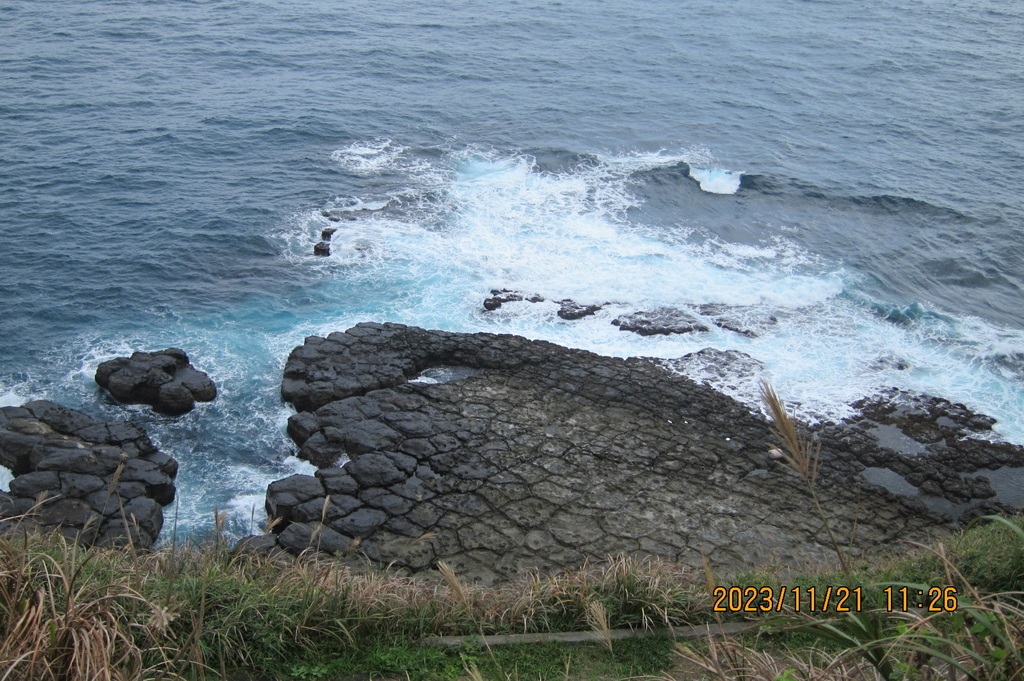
x: 482, y: 221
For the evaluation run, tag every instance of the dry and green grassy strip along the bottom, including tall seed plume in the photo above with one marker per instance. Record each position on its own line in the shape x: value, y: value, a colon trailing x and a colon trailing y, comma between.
x: 202, y: 612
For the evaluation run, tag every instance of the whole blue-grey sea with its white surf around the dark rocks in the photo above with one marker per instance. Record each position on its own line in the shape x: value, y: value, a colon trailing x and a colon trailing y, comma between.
x: 854, y: 169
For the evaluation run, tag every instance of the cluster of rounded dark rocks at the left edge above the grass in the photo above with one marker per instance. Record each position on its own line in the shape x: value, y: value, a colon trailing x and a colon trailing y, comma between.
x: 99, y: 483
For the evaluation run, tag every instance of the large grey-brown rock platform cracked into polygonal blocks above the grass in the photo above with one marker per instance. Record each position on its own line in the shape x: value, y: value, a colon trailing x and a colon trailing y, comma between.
x: 543, y: 457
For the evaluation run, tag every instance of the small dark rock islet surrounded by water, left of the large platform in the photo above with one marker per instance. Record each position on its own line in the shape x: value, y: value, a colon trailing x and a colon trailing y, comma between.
x: 164, y: 380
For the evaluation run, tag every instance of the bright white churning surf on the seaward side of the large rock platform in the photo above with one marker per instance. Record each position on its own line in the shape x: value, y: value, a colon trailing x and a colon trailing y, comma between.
x: 502, y: 224
